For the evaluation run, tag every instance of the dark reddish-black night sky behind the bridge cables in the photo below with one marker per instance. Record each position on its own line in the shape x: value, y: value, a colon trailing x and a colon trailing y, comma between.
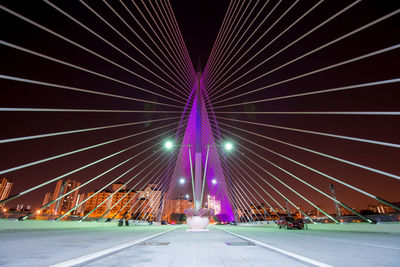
x: 199, y: 23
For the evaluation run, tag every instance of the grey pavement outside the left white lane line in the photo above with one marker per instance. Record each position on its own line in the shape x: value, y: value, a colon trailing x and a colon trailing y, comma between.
x: 45, y: 247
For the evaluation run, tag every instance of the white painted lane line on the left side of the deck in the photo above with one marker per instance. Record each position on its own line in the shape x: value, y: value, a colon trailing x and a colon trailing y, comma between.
x: 101, y: 253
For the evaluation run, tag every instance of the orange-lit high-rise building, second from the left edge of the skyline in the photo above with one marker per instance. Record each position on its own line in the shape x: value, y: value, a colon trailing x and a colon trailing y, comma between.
x: 63, y: 204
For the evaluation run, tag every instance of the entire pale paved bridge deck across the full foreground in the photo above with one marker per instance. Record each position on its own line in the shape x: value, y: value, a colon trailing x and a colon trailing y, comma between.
x: 47, y: 247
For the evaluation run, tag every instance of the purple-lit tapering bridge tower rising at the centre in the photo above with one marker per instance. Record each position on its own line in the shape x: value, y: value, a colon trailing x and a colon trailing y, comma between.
x: 197, y: 141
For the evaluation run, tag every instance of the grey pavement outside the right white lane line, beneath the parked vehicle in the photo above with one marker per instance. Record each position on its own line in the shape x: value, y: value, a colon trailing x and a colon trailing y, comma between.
x: 332, y: 247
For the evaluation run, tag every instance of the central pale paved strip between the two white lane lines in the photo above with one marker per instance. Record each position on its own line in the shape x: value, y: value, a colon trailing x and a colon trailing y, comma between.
x: 202, y: 249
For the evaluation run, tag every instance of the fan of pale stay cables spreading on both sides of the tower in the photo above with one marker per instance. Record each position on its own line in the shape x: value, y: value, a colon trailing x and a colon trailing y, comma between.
x: 298, y: 135
